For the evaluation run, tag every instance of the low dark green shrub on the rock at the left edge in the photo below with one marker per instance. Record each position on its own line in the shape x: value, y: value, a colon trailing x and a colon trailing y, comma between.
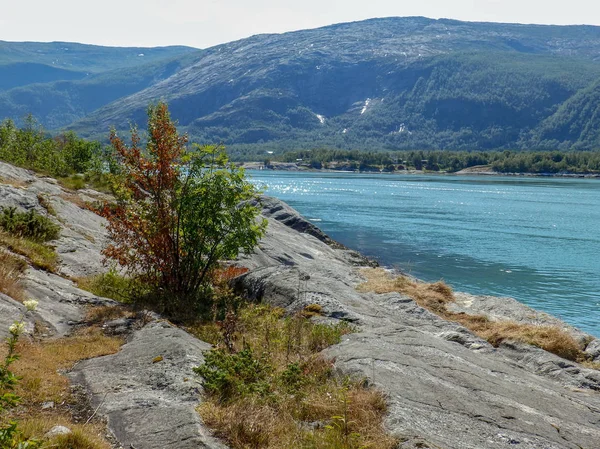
x: 30, y: 225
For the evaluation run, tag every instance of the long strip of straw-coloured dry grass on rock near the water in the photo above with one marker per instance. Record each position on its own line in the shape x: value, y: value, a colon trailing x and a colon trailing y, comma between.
x: 434, y: 297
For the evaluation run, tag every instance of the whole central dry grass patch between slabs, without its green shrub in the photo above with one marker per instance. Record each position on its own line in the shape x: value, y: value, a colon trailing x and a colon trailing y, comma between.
x: 313, y: 408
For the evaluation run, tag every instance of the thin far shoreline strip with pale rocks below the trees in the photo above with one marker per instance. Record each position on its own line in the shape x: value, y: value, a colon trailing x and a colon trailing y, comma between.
x: 291, y: 166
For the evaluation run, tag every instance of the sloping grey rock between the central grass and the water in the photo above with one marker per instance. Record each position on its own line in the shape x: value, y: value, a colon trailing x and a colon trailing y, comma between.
x: 445, y: 385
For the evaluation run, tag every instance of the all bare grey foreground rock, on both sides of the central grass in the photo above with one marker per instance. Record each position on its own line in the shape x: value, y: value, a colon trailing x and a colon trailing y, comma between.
x: 447, y: 388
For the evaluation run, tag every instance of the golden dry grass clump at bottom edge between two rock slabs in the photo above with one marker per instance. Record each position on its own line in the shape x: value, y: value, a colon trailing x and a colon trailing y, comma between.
x: 316, y: 422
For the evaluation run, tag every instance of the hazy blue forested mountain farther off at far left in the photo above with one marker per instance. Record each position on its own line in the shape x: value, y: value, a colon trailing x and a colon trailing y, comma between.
x: 60, y: 82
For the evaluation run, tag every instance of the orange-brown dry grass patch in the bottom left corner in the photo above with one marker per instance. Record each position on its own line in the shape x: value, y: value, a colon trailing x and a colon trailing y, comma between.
x: 39, y: 367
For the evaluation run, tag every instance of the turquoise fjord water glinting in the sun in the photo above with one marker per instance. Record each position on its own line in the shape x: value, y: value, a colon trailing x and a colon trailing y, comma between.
x: 533, y: 239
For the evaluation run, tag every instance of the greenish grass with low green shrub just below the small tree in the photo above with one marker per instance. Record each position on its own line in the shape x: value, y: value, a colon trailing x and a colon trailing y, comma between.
x: 231, y: 375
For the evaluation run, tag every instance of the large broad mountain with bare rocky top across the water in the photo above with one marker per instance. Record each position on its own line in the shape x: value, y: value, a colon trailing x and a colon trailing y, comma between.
x: 392, y: 83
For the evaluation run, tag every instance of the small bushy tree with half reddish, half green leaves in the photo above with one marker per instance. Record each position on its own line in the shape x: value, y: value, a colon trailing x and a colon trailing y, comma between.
x: 178, y: 212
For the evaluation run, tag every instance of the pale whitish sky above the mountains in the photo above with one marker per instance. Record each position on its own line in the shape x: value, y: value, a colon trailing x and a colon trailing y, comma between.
x: 203, y: 23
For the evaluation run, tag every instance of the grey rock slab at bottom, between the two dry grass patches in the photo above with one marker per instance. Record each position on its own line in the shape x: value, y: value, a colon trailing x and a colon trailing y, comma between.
x: 150, y: 404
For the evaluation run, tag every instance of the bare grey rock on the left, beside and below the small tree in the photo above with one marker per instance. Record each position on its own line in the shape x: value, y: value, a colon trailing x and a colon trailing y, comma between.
x: 148, y: 391
